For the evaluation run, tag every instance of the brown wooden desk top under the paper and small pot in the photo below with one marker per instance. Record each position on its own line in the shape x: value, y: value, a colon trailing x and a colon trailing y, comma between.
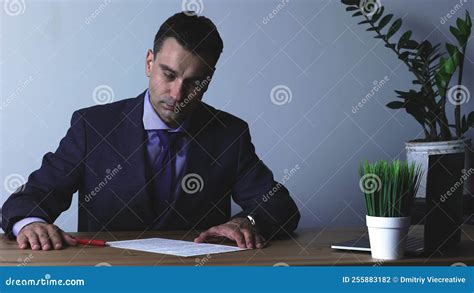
x: 306, y: 247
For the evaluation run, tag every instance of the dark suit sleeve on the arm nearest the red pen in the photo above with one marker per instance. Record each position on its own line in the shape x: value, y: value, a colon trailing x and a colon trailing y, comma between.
x: 48, y: 191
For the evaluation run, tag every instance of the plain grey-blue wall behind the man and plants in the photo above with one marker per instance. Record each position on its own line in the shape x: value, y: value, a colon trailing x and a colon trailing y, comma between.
x: 55, y: 53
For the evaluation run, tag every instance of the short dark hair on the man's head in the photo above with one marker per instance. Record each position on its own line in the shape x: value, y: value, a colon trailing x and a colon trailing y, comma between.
x: 197, y: 34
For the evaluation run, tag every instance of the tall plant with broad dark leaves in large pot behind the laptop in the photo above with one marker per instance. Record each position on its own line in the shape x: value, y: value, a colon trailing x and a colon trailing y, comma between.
x: 434, y: 83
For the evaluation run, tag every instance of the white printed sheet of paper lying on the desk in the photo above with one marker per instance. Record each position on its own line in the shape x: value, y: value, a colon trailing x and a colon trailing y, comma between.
x: 173, y: 247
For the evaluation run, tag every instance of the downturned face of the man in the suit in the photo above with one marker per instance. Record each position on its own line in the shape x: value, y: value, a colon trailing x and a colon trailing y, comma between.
x: 176, y: 84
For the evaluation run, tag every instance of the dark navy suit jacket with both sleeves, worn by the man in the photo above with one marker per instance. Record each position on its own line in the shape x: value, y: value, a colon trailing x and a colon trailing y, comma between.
x: 109, y: 141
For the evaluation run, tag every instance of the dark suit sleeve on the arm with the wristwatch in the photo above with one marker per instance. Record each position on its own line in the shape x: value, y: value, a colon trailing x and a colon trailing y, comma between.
x: 260, y: 196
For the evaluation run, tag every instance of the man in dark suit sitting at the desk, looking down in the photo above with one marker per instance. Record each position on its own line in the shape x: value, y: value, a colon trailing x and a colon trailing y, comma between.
x: 161, y: 161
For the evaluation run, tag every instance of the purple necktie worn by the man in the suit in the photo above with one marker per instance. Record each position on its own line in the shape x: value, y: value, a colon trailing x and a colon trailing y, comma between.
x: 164, y: 169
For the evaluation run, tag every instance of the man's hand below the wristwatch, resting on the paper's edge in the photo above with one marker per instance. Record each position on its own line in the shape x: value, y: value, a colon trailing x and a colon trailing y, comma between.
x: 238, y: 229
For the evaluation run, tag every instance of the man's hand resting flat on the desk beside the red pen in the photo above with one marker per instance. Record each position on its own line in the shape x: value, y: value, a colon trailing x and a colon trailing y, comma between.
x: 39, y: 235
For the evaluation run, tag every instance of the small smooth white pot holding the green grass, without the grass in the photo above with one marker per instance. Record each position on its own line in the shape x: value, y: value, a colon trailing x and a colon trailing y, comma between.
x: 388, y: 236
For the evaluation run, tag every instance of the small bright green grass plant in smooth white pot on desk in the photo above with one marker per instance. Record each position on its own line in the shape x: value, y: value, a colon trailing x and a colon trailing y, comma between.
x: 389, y: 189
